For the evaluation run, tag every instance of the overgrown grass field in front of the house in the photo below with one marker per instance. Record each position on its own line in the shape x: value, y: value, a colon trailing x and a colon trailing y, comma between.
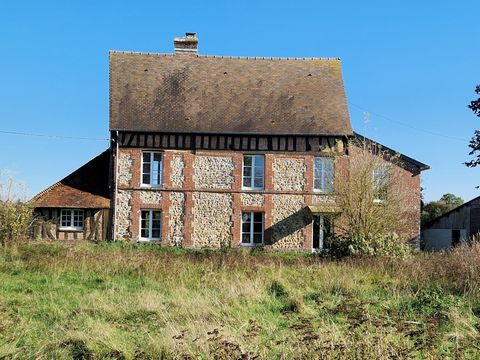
x: 117, y: 301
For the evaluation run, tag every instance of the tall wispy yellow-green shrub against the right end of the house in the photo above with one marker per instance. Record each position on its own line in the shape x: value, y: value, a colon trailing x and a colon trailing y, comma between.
x: 372, y: 199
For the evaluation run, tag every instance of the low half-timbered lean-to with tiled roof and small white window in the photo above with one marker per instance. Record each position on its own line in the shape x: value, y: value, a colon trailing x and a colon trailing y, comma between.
x: 76, y: 207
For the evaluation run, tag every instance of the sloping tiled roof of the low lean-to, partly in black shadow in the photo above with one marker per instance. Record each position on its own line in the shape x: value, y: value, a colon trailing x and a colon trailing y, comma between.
x: 86, y: 187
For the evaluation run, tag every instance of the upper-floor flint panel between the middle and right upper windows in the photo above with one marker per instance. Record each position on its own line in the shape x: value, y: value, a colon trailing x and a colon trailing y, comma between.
x: 289, y: 174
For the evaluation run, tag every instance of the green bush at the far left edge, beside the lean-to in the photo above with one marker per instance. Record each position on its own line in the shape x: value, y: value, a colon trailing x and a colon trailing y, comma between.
x: 16, y: 216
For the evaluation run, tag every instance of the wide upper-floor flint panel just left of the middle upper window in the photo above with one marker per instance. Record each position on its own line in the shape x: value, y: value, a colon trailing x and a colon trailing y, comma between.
x: 213, y: 172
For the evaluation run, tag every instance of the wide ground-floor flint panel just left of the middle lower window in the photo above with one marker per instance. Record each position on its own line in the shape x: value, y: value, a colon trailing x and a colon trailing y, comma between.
x: 212, y: 220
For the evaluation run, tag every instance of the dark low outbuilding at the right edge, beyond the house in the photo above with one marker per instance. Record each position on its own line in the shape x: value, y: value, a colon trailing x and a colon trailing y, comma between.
x: 454, y: 227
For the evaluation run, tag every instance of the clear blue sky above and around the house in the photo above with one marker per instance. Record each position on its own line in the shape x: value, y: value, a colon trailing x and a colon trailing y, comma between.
x: 415, y: 63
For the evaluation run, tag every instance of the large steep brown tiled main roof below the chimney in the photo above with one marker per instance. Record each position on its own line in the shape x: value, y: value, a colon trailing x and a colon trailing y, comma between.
x: 209, y: 94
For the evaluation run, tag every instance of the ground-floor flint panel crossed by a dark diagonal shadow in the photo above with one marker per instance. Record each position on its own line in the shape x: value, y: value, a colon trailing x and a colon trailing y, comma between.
x: 289, y: 220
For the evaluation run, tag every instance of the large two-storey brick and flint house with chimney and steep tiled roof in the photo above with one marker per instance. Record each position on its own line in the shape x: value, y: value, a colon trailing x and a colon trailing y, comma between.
x: 212, y: 151
